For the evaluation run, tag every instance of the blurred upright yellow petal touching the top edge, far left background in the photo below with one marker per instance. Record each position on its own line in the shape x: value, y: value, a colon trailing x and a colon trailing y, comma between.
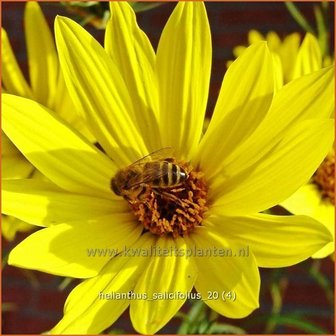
x: 42, y: 56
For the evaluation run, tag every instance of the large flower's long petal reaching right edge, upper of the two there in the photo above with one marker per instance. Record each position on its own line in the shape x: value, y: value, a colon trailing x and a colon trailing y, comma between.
x: 308, y: 97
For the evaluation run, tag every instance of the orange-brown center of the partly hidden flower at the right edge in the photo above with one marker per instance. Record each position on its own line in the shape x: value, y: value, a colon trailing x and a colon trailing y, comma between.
x: 324, y: 178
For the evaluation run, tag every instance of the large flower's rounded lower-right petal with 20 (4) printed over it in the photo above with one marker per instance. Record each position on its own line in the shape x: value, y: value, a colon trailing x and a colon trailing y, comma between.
x: 221, y: 275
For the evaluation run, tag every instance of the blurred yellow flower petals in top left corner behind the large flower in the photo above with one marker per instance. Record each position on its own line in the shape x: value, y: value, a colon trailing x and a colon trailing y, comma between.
x: 47, y: 84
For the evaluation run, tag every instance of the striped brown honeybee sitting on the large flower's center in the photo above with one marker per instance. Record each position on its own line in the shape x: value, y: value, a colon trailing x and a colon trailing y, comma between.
x: 155, y: 170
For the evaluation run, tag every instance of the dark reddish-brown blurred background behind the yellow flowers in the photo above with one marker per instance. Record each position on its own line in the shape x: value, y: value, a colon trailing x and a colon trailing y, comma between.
x: 36, y: 304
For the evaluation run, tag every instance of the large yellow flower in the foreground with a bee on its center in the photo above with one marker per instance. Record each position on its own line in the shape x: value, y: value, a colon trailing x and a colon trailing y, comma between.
x: 148, y: 255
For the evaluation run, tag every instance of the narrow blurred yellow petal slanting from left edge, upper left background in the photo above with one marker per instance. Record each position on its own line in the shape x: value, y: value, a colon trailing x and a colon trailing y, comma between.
x: 12, y: 77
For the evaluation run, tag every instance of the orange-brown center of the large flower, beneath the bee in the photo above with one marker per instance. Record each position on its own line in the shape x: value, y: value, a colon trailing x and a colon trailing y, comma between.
x: 176, y: 210
